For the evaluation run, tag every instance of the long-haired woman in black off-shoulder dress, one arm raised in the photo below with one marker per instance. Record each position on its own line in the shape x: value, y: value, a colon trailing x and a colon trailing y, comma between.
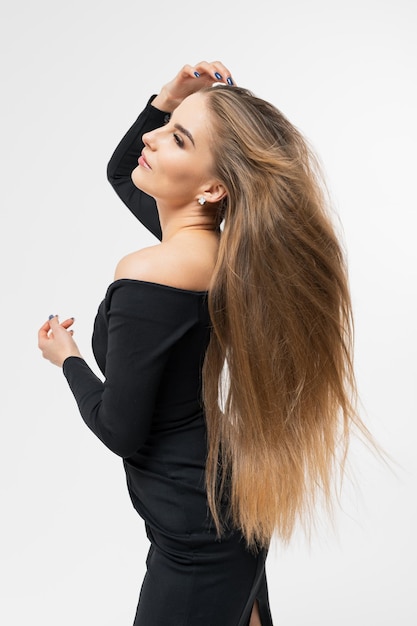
x: 225, y: 348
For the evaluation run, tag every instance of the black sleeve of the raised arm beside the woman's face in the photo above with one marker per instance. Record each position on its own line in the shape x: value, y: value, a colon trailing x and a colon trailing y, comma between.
x: 123, y: 162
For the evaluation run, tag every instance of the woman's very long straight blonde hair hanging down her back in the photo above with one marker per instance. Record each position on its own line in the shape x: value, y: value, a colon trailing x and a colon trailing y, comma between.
x: 278, y: 381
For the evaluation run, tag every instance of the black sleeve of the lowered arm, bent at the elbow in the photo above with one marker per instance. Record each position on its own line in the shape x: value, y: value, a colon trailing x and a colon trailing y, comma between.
x: 145, y: 321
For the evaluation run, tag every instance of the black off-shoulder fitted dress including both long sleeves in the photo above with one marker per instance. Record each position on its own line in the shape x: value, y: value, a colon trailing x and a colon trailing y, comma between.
x: 149, y: 341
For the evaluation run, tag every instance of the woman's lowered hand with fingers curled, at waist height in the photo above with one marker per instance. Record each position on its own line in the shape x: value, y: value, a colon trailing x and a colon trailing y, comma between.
x: 56, y: 342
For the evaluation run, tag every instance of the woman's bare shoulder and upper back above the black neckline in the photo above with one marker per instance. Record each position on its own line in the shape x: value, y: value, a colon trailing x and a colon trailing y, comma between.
x: 174, y: 264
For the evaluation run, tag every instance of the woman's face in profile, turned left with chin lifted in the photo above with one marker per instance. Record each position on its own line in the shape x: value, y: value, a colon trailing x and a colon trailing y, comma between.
x: 176, y: 162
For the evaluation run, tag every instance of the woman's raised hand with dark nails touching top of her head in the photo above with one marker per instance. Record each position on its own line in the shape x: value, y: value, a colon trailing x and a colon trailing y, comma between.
x: 189, y: 80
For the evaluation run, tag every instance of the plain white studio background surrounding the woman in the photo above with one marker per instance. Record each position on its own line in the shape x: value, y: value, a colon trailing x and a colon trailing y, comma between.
x: 74, y: 77
